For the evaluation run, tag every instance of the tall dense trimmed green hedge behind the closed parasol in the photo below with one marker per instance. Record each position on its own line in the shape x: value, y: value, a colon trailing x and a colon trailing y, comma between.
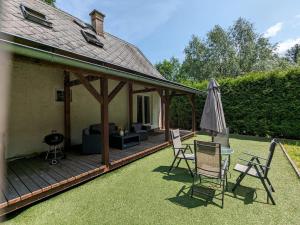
x: 261, y: 104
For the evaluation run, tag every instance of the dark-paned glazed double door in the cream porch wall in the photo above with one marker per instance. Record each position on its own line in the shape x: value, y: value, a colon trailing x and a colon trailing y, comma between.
x: 144, y: 109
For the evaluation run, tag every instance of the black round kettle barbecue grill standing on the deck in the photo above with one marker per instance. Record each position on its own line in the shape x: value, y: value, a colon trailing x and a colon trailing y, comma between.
x: 55, y: 142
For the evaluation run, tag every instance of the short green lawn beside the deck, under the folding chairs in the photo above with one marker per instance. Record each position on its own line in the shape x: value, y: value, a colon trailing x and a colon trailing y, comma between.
x: 142, y: 193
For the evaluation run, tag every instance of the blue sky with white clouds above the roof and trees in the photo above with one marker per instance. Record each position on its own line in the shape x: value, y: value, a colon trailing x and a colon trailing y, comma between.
x: 162, y: 29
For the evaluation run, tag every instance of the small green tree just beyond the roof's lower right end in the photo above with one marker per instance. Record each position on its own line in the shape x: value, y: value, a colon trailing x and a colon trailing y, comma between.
x: 170, y: 69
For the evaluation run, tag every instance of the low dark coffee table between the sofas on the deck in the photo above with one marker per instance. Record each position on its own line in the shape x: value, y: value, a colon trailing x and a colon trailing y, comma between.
x: 123, y: 142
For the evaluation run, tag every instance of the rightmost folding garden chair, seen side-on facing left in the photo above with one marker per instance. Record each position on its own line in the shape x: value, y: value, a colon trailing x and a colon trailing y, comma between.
x: 256, y: 169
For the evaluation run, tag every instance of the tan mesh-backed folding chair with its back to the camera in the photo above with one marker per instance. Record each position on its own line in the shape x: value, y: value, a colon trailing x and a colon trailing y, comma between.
x: 209, y: 164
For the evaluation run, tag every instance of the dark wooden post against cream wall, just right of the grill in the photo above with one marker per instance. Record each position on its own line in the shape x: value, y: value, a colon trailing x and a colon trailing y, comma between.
x: 67, y: 110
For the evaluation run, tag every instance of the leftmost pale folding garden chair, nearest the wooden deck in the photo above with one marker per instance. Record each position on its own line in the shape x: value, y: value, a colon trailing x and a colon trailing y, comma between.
x: 179, y: 151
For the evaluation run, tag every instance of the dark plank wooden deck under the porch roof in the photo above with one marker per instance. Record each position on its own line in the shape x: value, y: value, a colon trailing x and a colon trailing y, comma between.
x: 30, y: 180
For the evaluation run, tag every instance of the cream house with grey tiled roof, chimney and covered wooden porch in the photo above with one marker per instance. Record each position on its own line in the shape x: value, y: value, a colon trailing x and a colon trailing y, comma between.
x: 66, y: 75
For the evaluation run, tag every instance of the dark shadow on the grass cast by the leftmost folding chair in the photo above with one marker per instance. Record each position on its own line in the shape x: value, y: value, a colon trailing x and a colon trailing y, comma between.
x: 177, y: 174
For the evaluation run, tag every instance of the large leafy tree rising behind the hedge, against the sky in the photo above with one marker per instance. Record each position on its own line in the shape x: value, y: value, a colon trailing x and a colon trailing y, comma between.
x: 231, y: 52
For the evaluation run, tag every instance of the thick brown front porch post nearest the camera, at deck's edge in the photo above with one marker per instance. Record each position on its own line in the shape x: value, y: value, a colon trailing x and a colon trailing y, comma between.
x: 104, y: 121
